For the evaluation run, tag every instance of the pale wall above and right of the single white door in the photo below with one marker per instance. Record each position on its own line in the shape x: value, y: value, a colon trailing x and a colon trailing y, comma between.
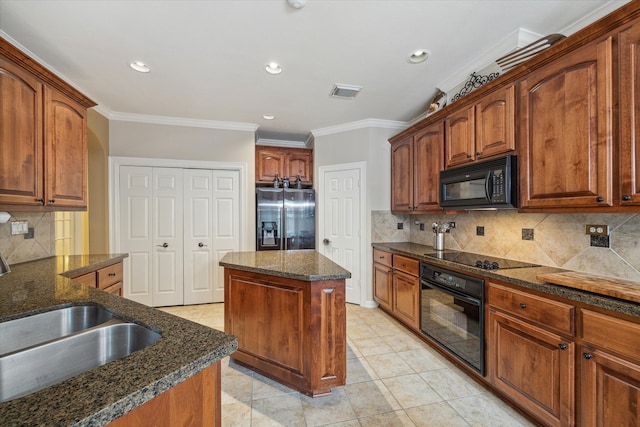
x: 369, y: 145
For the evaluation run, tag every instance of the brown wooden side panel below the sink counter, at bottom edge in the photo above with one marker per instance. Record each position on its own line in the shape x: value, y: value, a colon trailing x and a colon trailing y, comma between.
x: 194, y: 402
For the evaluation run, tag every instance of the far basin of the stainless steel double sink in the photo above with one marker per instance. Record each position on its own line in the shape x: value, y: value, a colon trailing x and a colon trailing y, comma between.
x: 40, y: 328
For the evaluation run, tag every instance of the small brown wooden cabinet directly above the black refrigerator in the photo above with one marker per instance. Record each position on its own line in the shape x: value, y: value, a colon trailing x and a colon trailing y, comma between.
x: 289, y: 162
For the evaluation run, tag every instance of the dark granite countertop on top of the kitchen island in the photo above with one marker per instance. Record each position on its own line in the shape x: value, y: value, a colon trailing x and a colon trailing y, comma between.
x: 306, y: 265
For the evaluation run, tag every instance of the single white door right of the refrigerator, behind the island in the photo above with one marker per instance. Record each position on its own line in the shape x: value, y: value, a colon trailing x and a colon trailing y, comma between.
x: 340, y: 225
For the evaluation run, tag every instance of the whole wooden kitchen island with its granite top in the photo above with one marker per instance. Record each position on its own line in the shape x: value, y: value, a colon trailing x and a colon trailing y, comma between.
x: 287, y: 309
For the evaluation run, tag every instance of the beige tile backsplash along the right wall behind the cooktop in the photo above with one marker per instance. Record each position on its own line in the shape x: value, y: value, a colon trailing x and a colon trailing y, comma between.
x: 556, y: 240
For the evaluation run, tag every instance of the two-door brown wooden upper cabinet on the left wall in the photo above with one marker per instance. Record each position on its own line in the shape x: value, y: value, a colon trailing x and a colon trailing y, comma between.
x: 43, y: 139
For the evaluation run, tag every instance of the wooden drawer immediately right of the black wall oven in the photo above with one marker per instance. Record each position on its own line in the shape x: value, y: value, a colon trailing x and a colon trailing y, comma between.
x: 549, y: 313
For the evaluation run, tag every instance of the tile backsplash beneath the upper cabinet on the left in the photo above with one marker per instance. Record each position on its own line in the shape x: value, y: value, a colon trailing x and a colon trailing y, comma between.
x: 18, y: 249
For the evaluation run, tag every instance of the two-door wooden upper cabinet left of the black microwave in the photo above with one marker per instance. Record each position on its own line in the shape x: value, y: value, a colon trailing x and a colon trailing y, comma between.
x: 416, y: 162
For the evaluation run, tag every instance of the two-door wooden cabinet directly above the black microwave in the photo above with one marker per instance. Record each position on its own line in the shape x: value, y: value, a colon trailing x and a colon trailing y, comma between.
x: 482, y: 130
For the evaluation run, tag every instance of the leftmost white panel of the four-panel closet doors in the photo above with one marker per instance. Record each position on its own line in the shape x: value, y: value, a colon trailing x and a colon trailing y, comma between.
x: 135, y: 196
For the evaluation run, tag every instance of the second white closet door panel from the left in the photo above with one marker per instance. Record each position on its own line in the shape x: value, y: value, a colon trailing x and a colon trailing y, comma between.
x: 167, y: 271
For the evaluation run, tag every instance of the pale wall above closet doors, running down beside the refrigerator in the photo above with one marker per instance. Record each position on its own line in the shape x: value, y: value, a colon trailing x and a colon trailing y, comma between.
x: 158, y: 141
